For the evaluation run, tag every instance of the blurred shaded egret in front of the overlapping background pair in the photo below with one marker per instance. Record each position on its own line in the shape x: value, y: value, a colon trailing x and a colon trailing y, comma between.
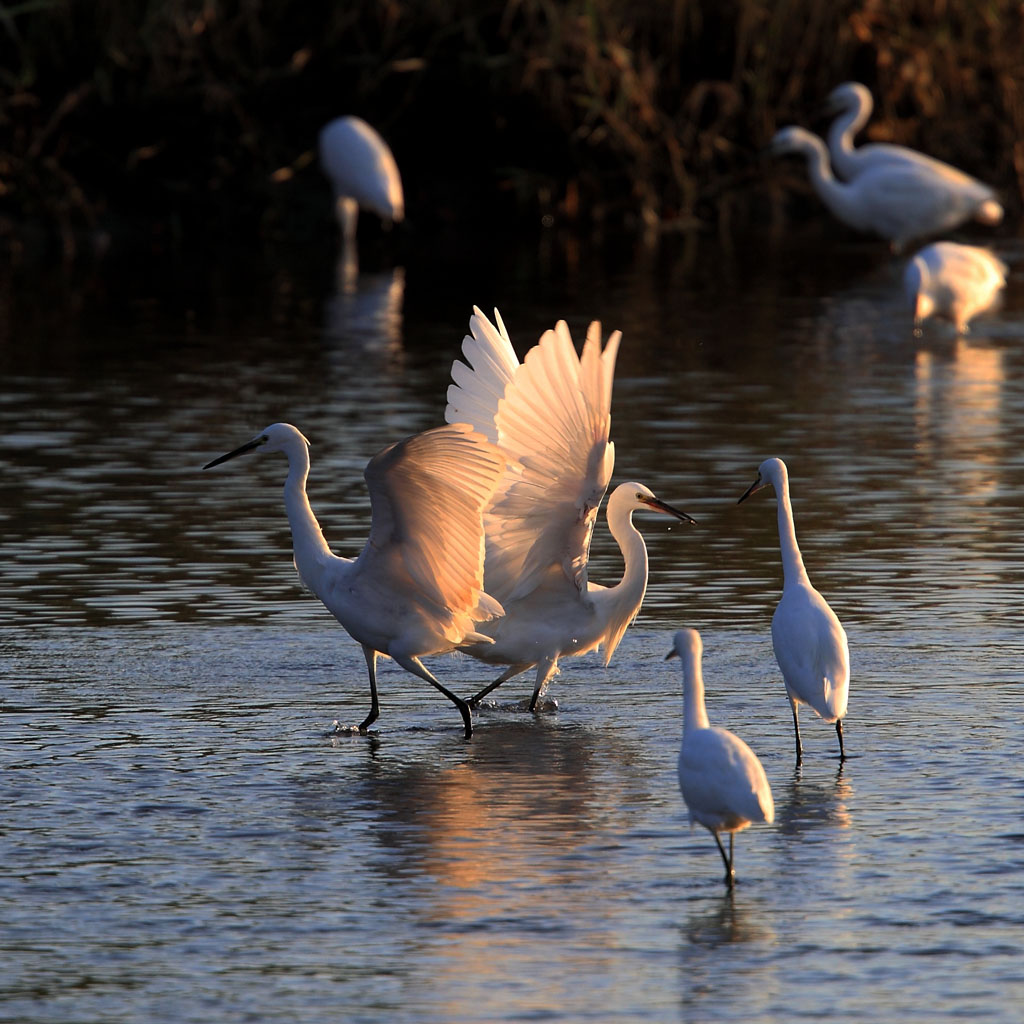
x: 900, y: 201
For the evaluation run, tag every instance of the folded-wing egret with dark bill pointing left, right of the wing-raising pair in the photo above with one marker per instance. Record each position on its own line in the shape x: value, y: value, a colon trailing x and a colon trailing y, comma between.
x: 810, y: 644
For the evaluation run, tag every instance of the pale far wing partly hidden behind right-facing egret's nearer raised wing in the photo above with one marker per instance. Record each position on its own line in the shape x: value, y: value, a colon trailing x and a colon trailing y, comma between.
x: 482, y: 380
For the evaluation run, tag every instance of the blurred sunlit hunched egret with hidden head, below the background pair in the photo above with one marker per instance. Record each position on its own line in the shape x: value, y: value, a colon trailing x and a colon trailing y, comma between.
x: 953, y: 281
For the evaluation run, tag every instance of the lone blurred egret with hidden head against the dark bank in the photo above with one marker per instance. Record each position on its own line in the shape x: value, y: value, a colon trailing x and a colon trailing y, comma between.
x: 363, y: 173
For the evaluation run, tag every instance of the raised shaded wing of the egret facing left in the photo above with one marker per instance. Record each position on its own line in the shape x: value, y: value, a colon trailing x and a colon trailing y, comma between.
x: 428, y: 494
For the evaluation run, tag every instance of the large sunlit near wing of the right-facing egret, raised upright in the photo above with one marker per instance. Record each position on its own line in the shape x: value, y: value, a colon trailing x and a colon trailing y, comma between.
x: 553, y: 423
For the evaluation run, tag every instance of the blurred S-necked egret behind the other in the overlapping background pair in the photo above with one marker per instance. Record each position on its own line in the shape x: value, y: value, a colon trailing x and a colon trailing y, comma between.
x: 851, y: 104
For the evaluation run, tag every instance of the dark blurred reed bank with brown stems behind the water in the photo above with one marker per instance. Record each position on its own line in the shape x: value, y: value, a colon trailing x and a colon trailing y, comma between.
x: 184, y: 117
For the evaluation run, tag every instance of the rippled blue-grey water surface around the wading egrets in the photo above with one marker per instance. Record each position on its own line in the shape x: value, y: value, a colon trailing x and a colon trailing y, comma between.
x: 183, y: 839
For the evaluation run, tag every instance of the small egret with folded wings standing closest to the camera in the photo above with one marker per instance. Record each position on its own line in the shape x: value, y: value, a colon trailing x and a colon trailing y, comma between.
x: 722, y: 781
